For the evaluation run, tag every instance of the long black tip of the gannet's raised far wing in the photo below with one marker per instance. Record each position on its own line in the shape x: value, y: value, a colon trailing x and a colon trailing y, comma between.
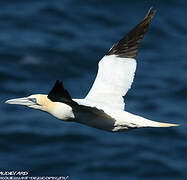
x: 127, y: 47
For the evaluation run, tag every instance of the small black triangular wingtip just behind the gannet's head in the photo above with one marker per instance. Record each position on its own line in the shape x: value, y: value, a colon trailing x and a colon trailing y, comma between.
x: 59, y: 94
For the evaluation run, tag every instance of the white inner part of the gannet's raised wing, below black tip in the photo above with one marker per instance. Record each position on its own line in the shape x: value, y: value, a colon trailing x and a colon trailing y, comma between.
x: 114, y: 78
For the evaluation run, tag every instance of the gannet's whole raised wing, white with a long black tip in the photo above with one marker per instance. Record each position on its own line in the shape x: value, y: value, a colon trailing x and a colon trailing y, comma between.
x: 117, y: 68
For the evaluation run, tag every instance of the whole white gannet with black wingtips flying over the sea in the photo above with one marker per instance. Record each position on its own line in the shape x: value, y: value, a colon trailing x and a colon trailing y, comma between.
x: 103, y: 107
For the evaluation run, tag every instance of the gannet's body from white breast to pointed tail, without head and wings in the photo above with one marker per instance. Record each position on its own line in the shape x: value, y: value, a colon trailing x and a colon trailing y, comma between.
x: 108, y: 119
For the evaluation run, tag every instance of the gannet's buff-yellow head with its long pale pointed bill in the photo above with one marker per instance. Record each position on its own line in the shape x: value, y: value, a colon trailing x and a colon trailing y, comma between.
x: 36, y: 101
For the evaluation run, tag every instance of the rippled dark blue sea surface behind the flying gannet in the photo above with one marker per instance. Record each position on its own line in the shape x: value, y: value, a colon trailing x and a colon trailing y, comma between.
x: 45, y: 40
